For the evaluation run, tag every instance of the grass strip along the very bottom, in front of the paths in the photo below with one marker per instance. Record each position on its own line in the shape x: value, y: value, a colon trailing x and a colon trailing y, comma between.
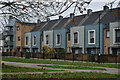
x: 63, y: 75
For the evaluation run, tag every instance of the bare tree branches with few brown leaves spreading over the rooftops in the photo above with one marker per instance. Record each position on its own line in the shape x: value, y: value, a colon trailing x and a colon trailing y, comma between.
x: 26, y: 11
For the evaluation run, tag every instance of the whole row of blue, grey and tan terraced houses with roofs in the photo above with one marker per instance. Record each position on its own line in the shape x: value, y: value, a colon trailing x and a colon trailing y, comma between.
x: 98, y: 32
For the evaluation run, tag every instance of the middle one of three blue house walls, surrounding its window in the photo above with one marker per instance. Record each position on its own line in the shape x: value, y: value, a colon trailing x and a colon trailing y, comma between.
x: 63, y: 44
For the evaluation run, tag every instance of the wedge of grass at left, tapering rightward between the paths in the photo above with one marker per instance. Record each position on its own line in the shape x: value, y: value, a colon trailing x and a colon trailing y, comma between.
x: 8, y: 69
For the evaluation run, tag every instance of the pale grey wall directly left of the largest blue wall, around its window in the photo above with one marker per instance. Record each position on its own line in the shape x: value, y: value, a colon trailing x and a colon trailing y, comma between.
x: 80, y: 30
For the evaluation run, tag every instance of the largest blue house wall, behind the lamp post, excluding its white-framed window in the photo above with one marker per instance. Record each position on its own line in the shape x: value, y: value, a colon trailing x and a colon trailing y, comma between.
x: 96, y: 45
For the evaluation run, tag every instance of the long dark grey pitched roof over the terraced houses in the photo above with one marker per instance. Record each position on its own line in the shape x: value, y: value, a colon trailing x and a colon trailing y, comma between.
x: 105, y: 18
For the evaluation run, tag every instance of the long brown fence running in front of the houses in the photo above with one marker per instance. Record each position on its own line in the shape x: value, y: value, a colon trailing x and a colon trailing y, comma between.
x: 69, y: 56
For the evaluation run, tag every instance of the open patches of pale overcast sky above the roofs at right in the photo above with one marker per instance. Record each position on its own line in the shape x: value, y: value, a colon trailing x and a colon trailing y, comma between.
x: 95, y: 5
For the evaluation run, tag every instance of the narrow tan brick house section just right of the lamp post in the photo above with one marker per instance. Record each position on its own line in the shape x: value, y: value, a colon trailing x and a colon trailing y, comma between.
x: 106, y: 40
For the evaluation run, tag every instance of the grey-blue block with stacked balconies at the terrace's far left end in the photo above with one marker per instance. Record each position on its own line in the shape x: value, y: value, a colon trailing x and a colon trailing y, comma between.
x: 9, y: 34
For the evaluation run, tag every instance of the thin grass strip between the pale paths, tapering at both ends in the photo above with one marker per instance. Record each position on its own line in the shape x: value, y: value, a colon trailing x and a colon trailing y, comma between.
x: 71, y: 67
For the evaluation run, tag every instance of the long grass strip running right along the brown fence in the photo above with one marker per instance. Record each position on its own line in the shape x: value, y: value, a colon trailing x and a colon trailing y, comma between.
x: 58, y: 62
